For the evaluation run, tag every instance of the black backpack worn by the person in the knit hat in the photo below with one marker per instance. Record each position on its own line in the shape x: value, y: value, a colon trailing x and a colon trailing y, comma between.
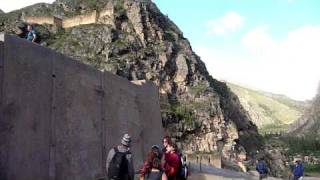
x: 118, y: 166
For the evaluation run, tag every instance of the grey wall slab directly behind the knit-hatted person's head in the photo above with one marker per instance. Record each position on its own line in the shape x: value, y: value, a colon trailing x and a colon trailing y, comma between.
x: 122, y: 102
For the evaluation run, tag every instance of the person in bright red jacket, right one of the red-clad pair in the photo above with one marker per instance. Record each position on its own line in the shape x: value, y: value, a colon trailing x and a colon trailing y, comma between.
x: 172, y: 162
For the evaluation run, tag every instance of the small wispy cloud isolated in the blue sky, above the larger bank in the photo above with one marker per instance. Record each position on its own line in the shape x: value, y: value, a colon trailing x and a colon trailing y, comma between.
x: 230, y: 22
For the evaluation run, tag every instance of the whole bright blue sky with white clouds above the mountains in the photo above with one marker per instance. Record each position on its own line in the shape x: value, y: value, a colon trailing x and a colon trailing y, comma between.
x: 271, y: 45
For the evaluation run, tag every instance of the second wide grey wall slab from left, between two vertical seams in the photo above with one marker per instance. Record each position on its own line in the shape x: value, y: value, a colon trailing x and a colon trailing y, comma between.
x: 78, y: 120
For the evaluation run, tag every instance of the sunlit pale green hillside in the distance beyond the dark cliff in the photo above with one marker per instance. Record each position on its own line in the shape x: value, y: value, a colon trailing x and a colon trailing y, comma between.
x: 270, y: 112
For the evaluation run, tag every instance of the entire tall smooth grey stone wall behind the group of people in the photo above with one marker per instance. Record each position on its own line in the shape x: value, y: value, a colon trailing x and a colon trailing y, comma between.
x: 58, y: 117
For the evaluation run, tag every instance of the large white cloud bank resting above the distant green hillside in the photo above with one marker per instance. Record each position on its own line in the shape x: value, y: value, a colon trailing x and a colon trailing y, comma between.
x: 288, y: 66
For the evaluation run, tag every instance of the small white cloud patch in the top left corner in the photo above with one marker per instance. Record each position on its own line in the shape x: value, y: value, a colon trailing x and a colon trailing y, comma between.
x: 17, y: 4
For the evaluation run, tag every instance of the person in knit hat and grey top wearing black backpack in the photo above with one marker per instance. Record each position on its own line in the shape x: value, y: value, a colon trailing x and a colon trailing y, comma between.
x: 119, y: 164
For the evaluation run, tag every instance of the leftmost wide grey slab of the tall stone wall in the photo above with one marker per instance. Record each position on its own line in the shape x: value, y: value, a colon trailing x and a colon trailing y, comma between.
x: 26, y: 113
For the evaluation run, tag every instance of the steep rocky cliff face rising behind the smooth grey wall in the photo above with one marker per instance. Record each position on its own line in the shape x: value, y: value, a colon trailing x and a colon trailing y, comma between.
x: 138, y: 42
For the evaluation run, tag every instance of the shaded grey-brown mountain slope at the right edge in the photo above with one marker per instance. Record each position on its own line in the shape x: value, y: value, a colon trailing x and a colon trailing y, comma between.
x: 310, y: 121
